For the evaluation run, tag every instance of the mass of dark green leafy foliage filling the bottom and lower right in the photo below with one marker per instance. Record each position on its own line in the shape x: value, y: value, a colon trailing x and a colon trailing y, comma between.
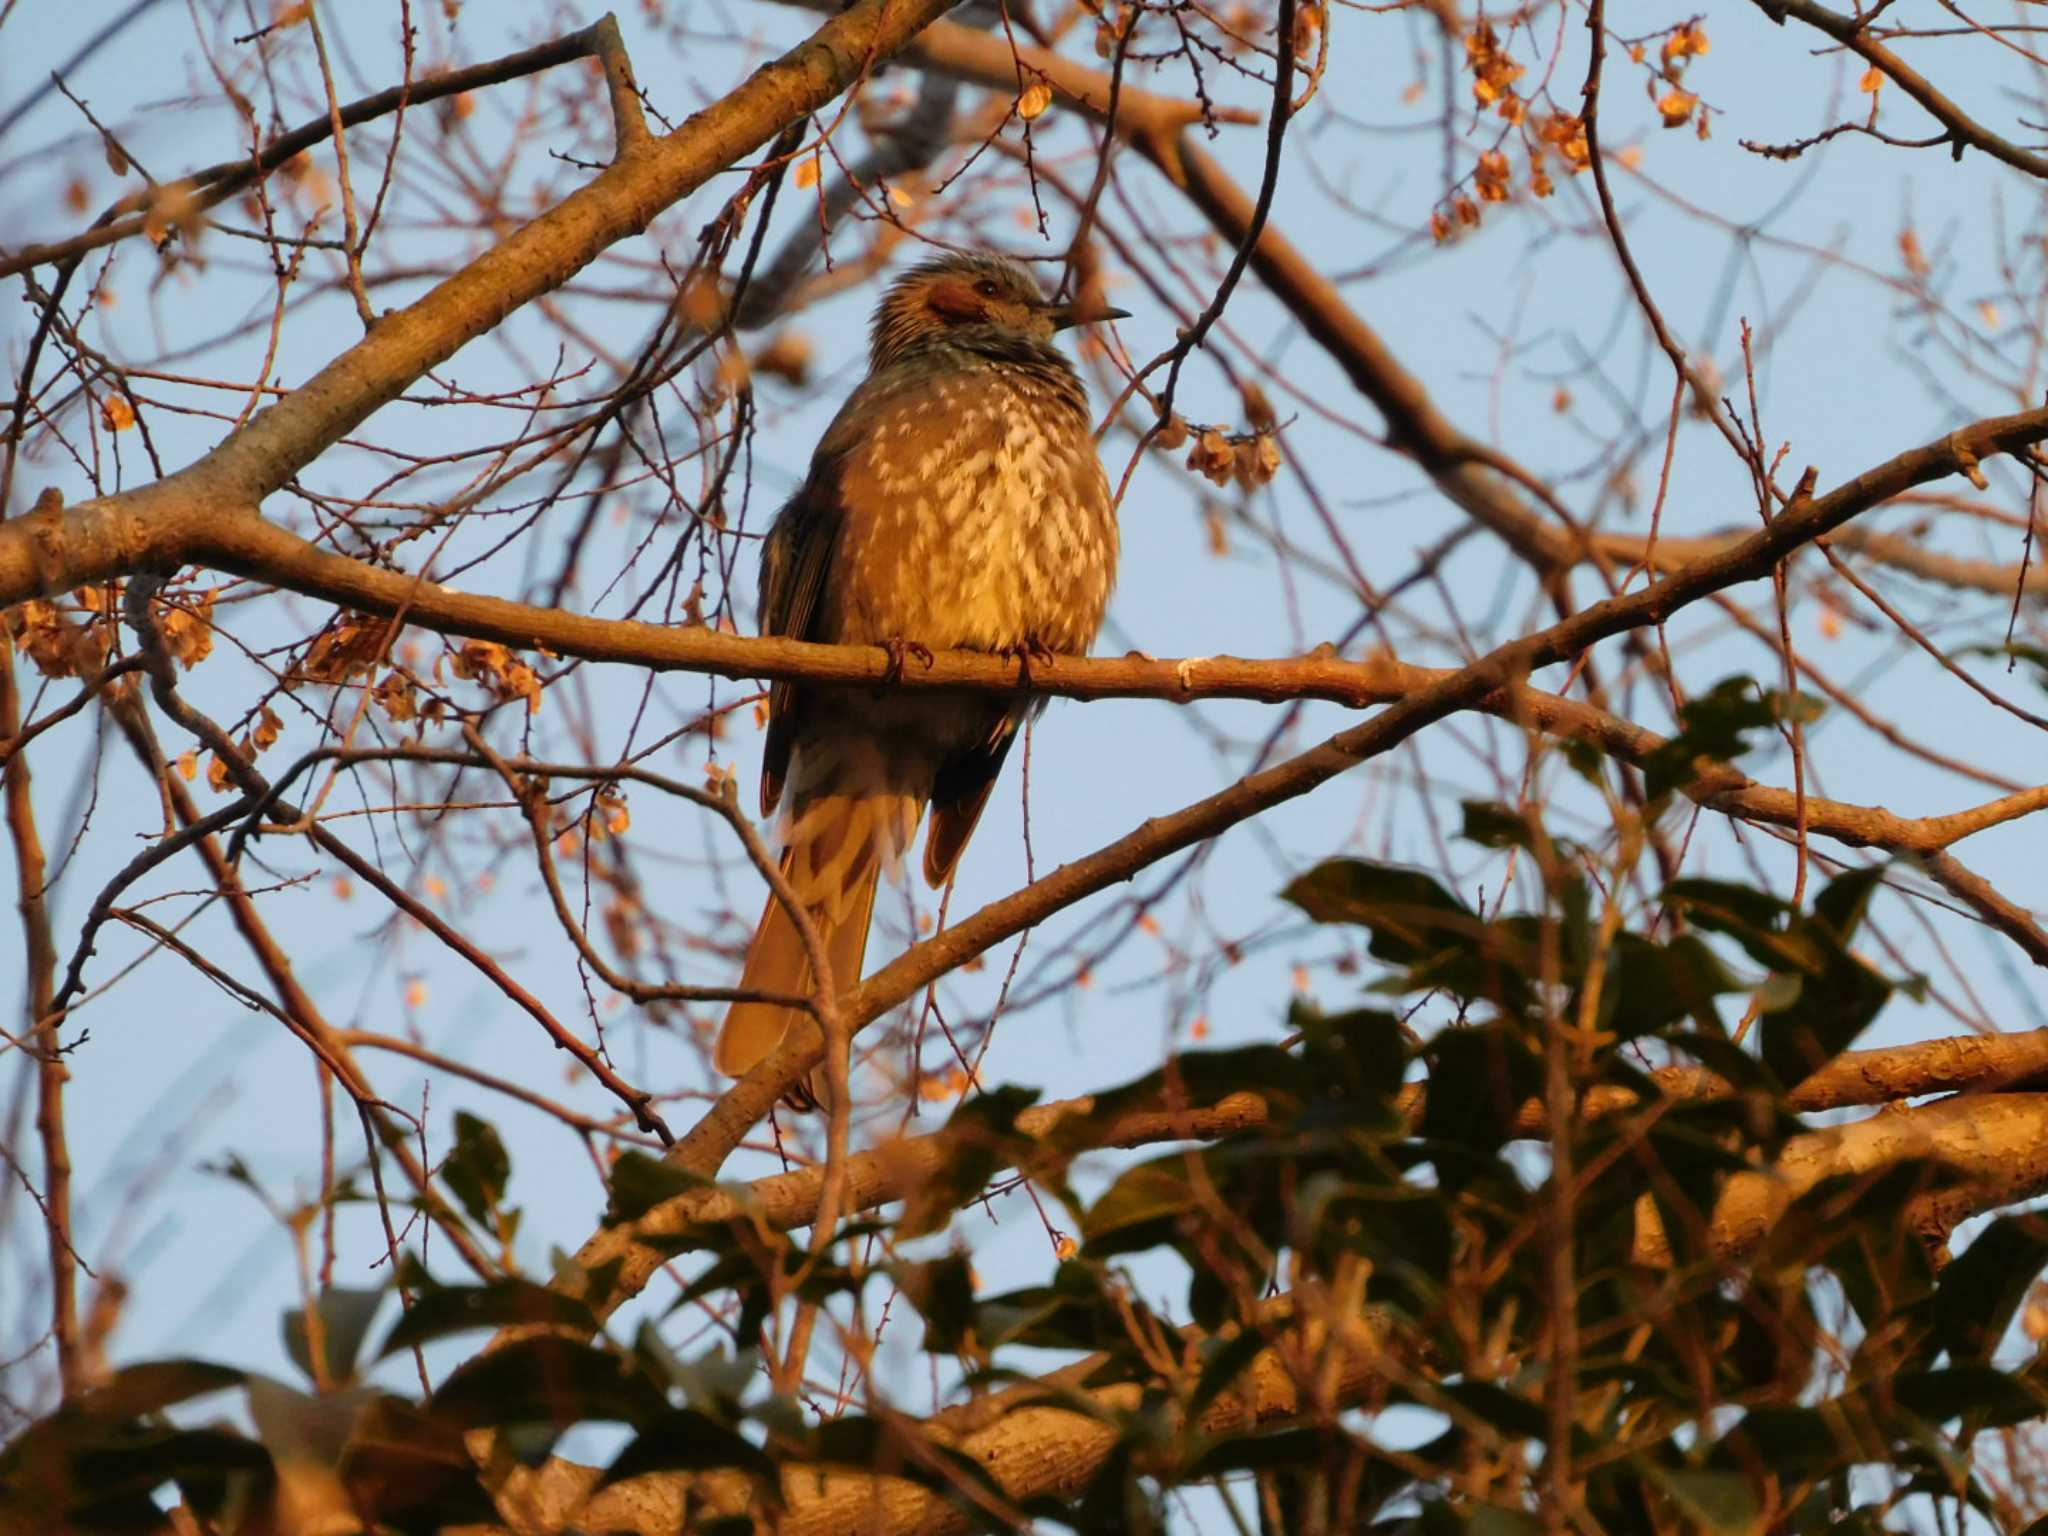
x: 1373, y: 1263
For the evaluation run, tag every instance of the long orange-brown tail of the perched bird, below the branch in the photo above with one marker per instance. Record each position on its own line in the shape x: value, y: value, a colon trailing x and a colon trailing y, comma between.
x: 851, y: 820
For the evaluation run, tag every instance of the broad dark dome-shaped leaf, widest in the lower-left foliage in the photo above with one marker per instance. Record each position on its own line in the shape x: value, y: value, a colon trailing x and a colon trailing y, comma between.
x: 548, y: 1381
